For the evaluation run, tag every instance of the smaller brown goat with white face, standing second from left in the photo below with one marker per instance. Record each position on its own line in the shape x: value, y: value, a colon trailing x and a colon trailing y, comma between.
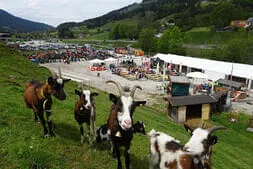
x: 85, y: 112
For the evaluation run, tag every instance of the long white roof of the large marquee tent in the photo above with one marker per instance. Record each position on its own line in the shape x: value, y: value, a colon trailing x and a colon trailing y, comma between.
x: 237, y: 69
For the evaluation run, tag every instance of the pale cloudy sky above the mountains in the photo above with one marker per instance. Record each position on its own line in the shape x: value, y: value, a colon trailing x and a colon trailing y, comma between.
x: 55, y: 12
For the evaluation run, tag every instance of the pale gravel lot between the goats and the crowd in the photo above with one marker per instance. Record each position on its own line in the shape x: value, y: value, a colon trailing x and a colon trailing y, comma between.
x: 79, y: 71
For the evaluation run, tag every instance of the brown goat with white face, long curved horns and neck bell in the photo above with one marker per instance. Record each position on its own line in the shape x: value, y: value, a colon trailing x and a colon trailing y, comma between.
x: 120, y: 122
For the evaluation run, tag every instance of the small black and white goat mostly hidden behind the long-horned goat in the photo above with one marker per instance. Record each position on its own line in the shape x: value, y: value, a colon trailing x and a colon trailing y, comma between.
x: 102, y: 131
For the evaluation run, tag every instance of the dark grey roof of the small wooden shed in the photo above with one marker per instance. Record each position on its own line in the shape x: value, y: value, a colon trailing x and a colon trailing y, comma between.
x: 192, y: 100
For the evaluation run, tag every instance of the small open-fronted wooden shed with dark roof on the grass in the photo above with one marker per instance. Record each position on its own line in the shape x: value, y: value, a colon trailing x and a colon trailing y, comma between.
x: 183, y: 108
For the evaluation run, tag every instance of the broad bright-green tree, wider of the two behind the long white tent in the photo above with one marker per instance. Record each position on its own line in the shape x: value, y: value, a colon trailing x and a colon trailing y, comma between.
x: 171, y: 41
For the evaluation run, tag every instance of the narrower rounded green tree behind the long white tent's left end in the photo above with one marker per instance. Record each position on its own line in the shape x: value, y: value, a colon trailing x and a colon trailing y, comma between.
x: 147, y: 41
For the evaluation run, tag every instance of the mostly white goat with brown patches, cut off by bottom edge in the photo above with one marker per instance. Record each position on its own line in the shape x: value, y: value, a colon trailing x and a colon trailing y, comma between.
x: 167, y: 153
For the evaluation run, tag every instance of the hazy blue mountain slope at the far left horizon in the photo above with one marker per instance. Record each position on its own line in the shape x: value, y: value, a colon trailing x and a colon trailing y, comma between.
x: 11, y: 23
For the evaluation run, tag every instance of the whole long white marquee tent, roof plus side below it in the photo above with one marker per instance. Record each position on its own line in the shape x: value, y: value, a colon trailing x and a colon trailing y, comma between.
x: 214, y: 69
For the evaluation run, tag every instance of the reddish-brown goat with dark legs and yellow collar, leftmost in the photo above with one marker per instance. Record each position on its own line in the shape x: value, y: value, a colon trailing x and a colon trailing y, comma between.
x: 38, y: 97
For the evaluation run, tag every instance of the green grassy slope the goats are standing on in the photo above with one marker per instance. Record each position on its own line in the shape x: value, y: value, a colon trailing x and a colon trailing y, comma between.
x: 22, y: 144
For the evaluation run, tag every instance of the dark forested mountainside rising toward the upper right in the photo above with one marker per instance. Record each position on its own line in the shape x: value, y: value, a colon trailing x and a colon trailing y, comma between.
x: 185, y: 13
